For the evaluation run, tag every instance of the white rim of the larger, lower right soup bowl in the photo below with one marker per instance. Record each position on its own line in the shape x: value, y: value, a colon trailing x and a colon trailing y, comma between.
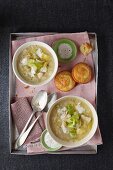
x: 87, y: 137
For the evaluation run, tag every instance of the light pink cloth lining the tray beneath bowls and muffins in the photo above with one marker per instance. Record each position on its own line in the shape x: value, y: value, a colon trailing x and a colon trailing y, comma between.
x: 83, y: 90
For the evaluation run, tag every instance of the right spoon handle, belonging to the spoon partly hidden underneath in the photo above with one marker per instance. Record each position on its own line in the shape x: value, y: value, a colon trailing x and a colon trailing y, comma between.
x: 25, y: 135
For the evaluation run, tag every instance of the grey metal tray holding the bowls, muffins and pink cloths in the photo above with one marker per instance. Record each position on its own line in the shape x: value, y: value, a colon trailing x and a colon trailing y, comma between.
x: 88, y: 149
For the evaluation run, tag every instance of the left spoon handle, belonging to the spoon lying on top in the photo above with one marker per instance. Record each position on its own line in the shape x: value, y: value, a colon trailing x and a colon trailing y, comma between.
x: 24, y: 129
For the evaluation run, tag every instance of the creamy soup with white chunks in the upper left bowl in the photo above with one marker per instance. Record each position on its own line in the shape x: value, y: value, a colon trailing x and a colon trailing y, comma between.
x: 35, y: 64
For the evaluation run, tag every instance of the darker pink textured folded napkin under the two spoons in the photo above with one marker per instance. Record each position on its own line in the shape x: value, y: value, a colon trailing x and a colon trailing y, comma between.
x: 21, y: 111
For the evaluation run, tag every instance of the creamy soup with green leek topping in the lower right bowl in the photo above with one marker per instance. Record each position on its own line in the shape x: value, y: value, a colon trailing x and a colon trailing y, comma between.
x: 71, y: 120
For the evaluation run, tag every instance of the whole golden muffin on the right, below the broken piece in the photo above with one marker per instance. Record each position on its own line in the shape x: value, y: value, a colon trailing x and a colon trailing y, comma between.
x: 82, y: 73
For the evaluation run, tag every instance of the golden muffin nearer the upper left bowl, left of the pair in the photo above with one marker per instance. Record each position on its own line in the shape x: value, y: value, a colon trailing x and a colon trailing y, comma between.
x: 64, y: 81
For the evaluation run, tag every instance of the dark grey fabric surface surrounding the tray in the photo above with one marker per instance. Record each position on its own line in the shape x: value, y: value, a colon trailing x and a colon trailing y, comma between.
x: 60, y: 16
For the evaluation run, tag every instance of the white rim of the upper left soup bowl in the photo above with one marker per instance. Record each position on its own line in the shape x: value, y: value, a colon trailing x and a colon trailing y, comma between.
x: 21, y: 48
